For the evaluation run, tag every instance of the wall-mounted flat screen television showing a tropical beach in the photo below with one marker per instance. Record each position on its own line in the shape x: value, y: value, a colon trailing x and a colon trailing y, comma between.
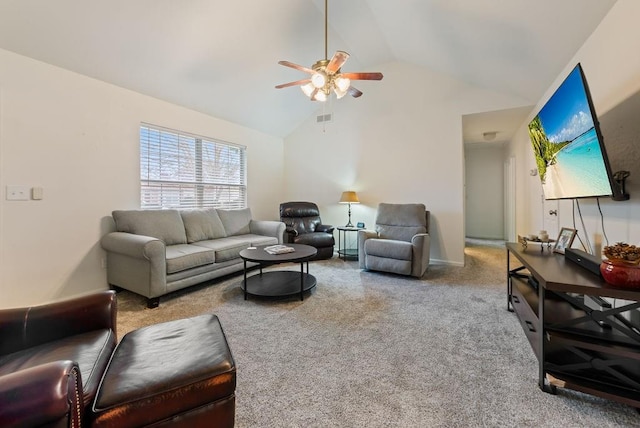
x: 567, y: 143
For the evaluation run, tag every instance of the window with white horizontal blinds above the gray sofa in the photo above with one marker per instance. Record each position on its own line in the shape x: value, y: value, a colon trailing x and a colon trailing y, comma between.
x: 180, y: 170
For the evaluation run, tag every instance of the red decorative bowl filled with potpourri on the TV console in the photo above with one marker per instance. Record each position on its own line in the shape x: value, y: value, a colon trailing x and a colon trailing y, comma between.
x: 622, y: 265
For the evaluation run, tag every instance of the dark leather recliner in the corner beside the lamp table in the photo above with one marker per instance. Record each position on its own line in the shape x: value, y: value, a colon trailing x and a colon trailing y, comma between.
x: 304, y: 226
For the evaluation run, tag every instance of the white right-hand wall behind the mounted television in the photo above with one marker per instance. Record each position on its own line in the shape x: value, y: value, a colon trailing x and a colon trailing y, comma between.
x: 612, y: 68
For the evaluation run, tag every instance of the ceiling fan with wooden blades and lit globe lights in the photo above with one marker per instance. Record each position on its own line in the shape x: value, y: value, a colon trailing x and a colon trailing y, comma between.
x: 326, y: 76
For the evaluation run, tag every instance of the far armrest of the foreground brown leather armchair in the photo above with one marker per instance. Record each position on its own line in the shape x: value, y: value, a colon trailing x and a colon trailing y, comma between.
x: 27, y: 327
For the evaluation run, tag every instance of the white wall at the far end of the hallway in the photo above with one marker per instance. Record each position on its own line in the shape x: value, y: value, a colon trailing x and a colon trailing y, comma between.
x: 484, y: 190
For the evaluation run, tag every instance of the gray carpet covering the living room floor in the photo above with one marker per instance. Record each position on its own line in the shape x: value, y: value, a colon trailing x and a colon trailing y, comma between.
x: 368, y: 349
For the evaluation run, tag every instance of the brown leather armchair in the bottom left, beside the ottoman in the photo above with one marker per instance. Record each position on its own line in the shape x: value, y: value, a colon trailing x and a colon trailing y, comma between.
x: 52, y: 358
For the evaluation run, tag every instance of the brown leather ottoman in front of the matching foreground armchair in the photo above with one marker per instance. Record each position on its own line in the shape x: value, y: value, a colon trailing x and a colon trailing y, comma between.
x: 178, y: 373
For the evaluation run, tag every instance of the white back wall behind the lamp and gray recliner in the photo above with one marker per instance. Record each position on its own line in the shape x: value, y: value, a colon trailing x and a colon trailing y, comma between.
x: 400, y: 142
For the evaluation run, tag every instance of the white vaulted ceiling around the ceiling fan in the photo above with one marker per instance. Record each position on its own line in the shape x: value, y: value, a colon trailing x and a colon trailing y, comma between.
x: 220, y: 57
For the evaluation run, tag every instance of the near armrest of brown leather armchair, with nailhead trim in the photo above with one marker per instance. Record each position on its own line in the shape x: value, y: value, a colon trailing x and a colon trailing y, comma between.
x: 45, y: 395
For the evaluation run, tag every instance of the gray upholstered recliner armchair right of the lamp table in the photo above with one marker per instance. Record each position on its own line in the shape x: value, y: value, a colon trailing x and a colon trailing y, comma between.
x: 400, y: 243
